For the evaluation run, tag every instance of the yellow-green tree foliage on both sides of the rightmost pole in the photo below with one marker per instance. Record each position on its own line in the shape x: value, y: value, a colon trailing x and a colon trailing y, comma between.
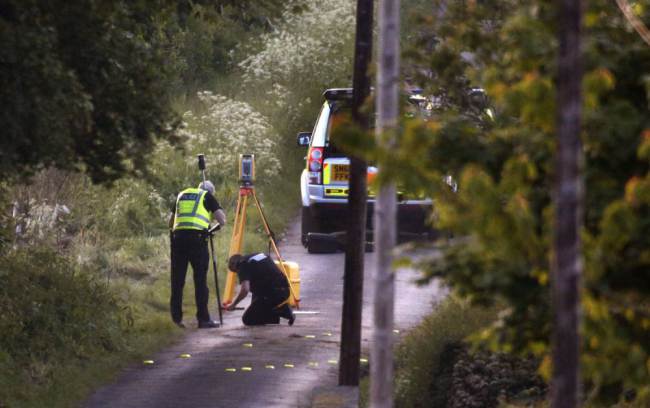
x: 503, y: 167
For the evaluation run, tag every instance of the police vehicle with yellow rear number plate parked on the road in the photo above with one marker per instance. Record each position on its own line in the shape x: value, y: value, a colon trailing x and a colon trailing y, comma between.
x: 324, y: 182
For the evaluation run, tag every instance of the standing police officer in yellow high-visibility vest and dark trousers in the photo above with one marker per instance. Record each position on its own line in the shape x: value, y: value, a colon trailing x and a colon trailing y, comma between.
x: 190, y: 221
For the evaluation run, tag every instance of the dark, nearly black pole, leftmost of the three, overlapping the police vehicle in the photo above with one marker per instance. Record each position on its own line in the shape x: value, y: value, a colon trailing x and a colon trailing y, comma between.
x: 356, y: 234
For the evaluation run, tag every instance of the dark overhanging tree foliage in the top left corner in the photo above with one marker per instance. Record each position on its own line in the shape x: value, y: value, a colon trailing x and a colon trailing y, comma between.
x: 85, y: 87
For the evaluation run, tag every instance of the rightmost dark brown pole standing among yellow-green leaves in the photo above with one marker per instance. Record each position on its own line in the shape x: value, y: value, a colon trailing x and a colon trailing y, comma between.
x: 566, y: 266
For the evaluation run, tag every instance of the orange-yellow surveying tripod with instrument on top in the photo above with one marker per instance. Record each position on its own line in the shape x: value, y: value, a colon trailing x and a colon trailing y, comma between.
x: 246, y: 192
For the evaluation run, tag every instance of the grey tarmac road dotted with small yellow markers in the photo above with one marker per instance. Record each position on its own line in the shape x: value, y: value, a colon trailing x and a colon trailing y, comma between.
x: 282, y: 365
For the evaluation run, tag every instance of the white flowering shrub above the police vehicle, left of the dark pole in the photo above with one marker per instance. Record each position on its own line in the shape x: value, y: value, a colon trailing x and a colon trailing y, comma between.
x: 309, y: 51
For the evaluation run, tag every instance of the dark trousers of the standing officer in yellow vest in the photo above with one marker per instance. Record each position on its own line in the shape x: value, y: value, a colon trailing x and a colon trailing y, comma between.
x: 189, y: 247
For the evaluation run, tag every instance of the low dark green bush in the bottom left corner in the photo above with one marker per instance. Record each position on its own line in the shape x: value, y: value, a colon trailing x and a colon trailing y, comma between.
x: 52, y: 312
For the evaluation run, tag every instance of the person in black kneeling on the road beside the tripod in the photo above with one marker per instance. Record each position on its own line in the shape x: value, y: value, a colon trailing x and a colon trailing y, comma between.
x: 258, y: 274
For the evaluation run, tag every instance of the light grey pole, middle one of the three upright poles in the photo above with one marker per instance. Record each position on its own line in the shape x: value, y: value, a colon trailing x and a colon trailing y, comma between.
x: 381, y: 356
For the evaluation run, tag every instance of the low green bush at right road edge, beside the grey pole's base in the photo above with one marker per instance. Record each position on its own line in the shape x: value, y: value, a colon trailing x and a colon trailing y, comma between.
x: 436, y: 369
